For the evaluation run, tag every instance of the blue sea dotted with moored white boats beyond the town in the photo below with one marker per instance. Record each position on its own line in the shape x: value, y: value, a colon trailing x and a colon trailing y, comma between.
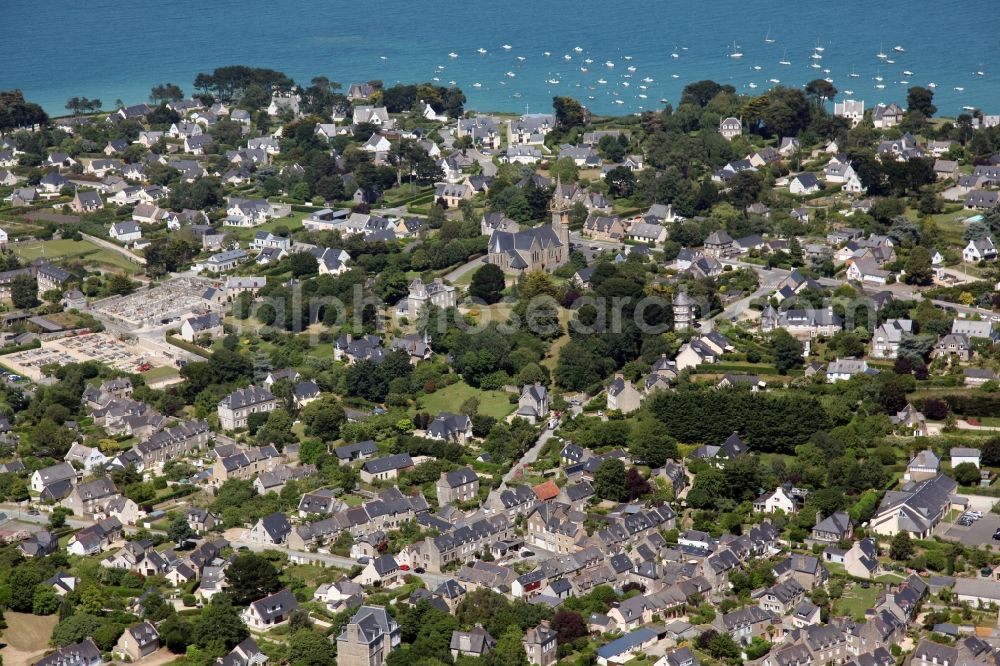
x: 615, y: 56
